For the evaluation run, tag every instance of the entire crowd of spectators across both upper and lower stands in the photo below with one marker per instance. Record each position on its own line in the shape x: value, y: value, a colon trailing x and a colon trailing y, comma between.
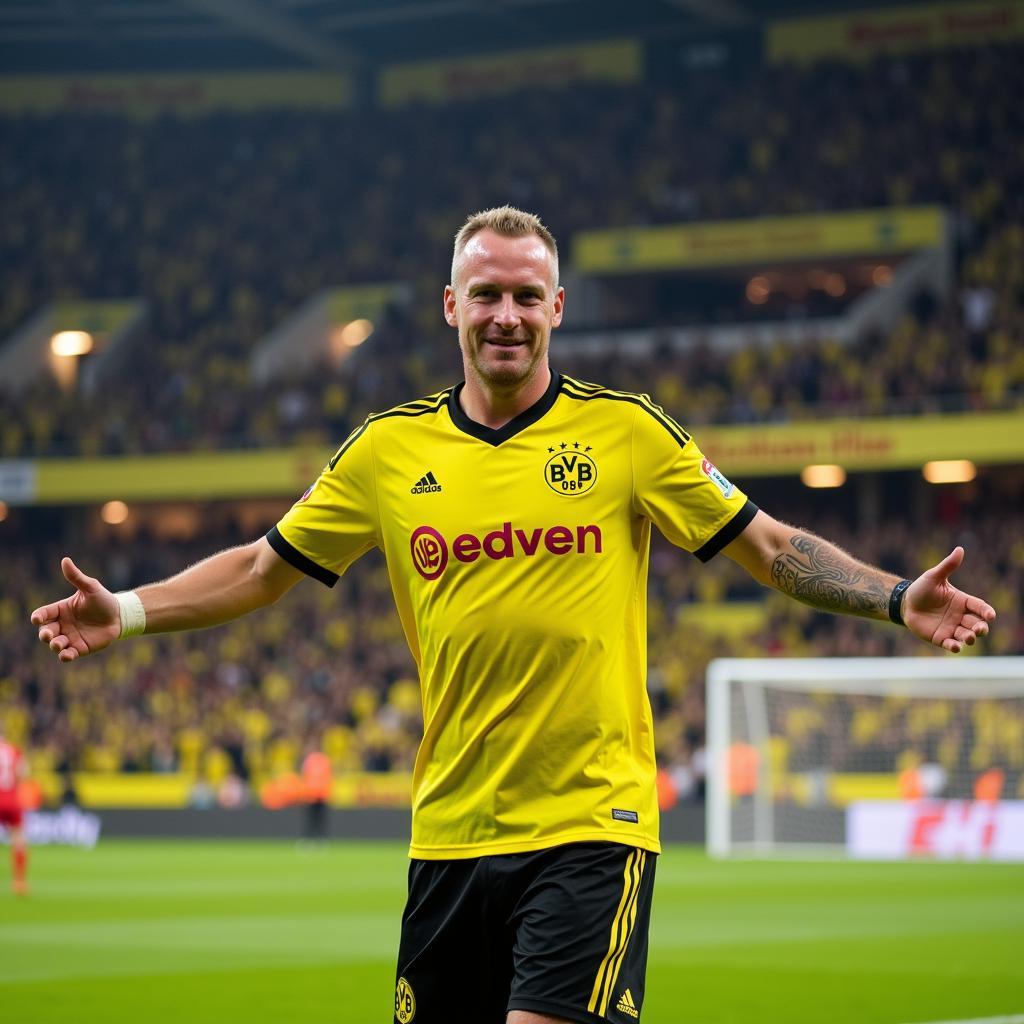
x: 226, y: 225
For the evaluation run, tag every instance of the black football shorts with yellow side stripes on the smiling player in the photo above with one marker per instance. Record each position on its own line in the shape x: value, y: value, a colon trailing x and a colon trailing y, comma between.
x: 562, y: 932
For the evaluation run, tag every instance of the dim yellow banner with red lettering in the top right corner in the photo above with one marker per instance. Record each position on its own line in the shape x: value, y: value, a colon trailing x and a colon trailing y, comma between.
x: 894, y: 30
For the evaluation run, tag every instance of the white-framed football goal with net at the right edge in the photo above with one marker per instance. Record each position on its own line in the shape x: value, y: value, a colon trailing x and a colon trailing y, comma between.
x: 873, y: 757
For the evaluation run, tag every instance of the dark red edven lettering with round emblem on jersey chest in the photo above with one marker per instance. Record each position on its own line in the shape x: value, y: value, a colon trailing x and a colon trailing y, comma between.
x: 432, y: 551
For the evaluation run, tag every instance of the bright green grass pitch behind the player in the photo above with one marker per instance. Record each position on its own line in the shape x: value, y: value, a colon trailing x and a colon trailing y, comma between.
x: 208, y: 933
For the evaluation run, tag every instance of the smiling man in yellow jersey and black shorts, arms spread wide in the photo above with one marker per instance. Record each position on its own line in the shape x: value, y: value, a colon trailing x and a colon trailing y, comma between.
x: 516, y: 513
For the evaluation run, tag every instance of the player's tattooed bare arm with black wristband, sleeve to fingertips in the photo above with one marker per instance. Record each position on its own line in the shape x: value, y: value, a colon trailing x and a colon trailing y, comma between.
x: 825, y: 577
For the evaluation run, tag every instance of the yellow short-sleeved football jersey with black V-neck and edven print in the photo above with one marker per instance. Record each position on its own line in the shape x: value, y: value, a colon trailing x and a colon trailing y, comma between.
x: 519, y: 562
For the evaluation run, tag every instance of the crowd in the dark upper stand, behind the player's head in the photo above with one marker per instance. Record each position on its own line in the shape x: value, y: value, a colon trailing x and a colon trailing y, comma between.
x: 227, y: 224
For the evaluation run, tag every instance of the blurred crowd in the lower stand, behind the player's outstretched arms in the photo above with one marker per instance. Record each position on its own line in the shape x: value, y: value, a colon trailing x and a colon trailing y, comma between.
x: 331, y: 667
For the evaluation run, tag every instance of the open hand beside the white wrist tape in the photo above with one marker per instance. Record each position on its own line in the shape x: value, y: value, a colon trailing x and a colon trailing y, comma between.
x: 82, y: 624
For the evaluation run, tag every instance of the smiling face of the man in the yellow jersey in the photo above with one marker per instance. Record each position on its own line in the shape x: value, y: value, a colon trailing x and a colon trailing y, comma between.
x: 505, y: 302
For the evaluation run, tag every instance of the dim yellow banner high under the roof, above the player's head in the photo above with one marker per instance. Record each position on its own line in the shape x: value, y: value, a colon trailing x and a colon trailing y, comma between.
x: 470, y: 78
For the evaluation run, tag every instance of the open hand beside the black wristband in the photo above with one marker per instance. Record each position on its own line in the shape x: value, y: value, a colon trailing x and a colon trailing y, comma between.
x: 935, y: 611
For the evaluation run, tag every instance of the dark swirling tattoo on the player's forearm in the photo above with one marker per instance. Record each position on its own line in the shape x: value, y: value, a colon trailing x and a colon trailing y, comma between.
x: 821, y: 575
